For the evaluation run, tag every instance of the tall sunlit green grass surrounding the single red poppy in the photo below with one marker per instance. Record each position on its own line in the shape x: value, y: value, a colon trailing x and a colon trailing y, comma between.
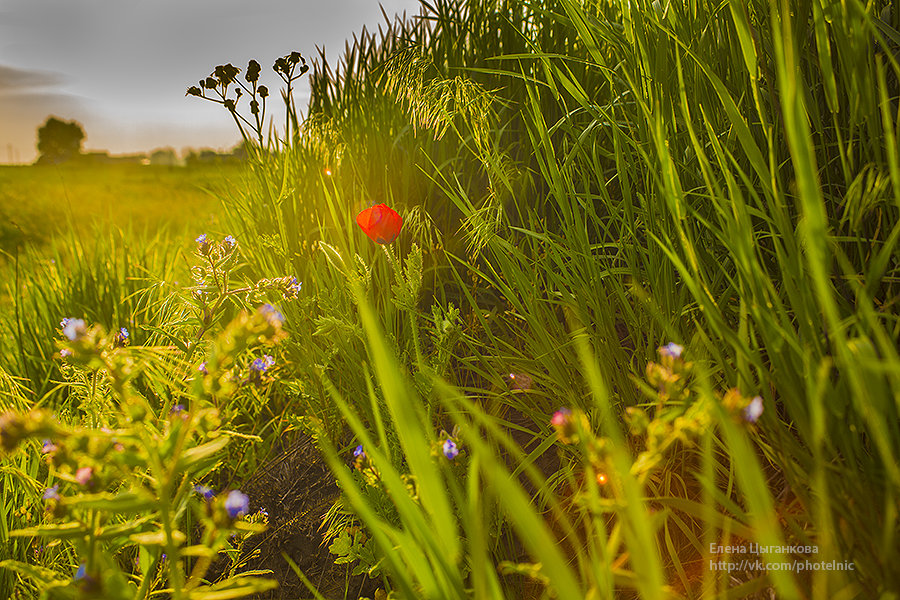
x: 582, y: 183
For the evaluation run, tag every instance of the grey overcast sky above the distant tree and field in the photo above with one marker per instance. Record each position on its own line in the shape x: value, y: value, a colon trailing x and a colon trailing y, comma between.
x: 121, y: 67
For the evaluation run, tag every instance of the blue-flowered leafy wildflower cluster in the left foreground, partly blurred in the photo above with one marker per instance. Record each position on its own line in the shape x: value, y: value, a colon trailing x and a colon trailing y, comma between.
x: 117, y: 482
